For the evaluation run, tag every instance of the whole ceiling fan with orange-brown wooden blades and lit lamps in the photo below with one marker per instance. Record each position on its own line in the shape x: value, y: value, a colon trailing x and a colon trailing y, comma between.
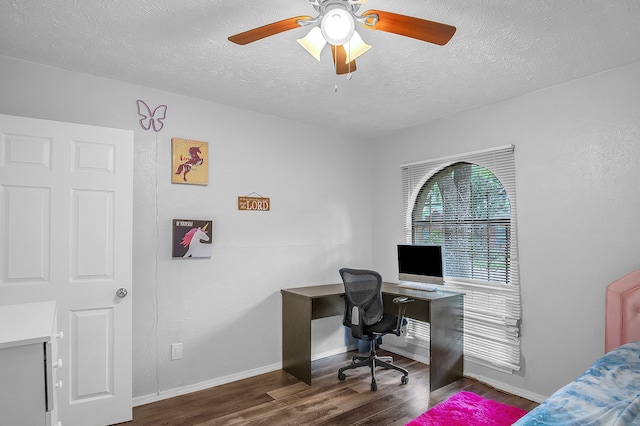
x: 335, y: 25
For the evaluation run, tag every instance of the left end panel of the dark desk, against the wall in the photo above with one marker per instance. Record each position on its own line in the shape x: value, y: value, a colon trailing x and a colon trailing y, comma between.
x: 296, y: 336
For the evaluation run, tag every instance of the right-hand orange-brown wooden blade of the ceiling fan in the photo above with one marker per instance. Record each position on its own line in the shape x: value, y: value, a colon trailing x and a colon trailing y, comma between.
x: 409, y: 26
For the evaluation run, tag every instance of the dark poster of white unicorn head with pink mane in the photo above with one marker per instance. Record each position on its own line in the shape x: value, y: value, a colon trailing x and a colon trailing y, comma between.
x: 192, y: 238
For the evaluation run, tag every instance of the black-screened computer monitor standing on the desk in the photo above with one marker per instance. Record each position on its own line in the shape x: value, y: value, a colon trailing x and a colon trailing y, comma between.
x: 420, y: 263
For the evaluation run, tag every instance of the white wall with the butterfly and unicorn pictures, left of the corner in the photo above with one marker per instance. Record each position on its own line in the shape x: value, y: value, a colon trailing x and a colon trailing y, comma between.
x: 225, y: 310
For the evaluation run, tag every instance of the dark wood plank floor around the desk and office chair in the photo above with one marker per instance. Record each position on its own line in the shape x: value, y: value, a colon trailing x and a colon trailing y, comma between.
x: 278, y: 398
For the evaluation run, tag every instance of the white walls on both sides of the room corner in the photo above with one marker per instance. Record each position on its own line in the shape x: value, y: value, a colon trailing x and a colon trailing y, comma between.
x: 577, y: 150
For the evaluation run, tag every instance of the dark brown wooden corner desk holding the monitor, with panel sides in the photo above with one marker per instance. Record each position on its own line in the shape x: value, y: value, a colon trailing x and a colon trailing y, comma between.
x: 442, y: 309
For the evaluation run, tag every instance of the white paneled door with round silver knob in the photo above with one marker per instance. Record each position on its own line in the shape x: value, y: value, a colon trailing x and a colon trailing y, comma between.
x: 66, y: 194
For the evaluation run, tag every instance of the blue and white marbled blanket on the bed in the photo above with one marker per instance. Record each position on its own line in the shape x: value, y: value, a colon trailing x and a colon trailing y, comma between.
x: 606, y: 394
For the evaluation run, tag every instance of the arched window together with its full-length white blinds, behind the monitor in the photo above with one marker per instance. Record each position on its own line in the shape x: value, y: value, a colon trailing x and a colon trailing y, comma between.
x: 466, y: 204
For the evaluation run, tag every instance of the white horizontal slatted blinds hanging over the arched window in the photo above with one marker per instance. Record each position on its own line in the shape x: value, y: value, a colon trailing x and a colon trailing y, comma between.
x: 492, y: 291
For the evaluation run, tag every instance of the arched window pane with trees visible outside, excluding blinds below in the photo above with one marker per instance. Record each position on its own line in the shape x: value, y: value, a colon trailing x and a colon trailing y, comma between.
x: 465, y: 208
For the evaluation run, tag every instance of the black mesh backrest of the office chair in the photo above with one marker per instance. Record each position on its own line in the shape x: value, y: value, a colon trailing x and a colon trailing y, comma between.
x: 362, y: 288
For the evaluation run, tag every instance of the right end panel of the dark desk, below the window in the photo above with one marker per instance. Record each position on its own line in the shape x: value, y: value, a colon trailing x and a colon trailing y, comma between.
x: 446, y: 342
